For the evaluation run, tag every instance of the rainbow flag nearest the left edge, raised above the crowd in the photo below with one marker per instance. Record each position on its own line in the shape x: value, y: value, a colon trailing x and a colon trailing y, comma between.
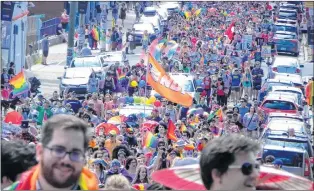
x: 19, y: 83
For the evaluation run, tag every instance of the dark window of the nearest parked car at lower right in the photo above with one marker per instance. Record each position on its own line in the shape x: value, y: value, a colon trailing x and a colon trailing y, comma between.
x: 288, y: 158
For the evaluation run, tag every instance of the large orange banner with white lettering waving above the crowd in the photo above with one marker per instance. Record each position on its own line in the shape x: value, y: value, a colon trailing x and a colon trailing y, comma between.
x: 164, y: 85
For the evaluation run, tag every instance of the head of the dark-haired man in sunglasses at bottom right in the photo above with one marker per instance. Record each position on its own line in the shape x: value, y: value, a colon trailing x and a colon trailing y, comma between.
x: 228, y: 158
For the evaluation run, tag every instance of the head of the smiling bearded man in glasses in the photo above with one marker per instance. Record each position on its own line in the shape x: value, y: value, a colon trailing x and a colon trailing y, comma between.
x: 61, y: 151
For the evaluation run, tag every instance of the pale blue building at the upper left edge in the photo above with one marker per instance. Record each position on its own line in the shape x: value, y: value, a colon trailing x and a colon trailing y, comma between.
x: 14, y: 29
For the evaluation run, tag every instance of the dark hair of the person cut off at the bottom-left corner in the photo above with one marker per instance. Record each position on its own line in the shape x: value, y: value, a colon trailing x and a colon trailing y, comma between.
x: 16, y: 157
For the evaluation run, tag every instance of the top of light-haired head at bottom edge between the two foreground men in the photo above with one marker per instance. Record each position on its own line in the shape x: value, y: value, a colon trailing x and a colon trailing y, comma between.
x: 117, y: 182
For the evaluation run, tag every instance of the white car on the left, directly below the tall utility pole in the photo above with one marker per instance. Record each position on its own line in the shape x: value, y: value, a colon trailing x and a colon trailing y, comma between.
x: 75, y: 80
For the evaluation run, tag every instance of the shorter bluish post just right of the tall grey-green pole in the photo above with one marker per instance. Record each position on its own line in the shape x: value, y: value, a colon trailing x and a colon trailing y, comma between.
x: 82, y: 6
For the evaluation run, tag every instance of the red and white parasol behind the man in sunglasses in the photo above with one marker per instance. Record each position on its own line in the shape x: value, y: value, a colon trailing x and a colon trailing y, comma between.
x: 188, y: 178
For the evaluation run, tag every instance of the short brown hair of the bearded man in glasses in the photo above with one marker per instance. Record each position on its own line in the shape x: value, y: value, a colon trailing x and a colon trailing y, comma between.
x: 64, y: 122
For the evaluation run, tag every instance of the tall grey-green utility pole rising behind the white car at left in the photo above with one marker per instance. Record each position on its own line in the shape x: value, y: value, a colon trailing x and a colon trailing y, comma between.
x: 70, y: 51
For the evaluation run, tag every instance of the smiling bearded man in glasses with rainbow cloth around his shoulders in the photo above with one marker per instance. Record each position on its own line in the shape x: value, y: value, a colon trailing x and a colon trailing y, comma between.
x: 61, y: 158
